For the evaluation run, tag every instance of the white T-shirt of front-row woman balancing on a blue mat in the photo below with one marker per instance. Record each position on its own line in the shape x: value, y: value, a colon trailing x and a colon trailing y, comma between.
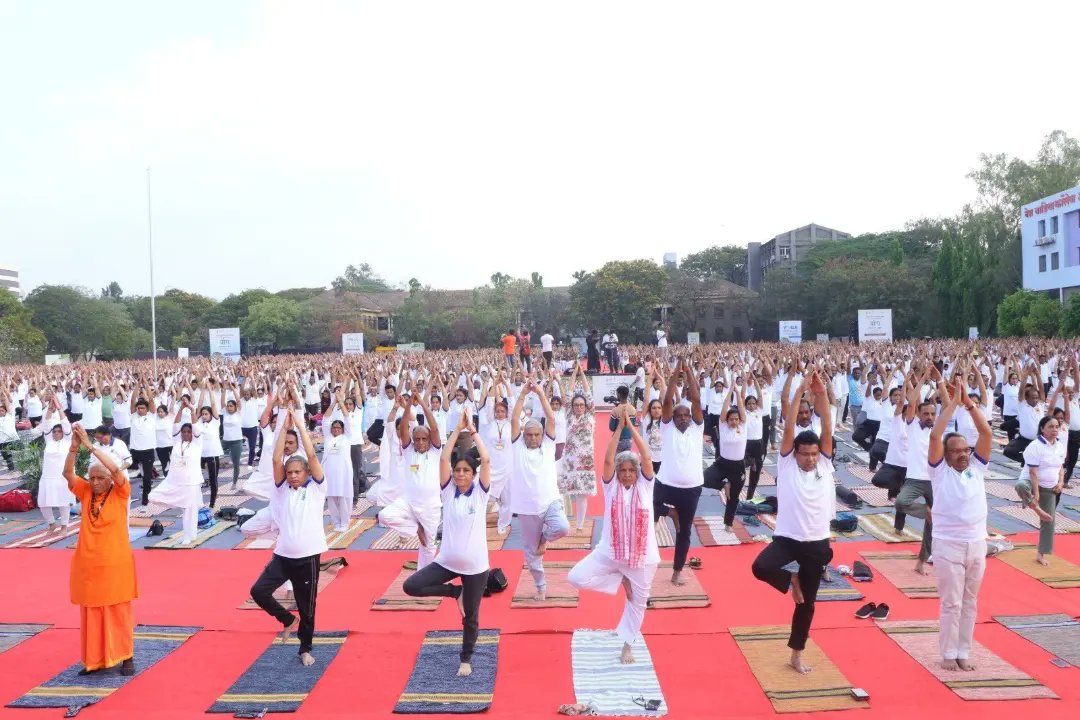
x: 464, y: 549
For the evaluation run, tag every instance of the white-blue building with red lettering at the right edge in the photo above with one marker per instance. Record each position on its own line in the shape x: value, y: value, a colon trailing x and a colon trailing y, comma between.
x: 1050, y: 244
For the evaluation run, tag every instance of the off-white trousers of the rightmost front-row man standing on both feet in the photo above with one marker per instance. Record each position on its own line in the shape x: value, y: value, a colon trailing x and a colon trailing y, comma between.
x: 960, y: 567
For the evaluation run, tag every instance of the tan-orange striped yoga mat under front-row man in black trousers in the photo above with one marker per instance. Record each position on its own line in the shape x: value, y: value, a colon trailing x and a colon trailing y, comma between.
x: 765, y: 648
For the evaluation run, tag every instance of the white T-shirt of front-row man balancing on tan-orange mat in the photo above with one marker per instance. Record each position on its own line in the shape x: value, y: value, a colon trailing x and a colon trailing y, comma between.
x: 807, y: 500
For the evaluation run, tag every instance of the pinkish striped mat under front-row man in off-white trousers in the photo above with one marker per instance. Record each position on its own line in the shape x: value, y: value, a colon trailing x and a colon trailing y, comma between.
x: 992, y: 680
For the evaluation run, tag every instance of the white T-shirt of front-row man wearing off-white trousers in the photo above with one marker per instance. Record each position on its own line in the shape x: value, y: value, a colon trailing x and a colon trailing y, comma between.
x: 960, y: 501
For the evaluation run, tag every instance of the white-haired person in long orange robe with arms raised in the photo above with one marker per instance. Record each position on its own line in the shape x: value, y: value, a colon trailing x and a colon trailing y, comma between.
x: 103, y: 568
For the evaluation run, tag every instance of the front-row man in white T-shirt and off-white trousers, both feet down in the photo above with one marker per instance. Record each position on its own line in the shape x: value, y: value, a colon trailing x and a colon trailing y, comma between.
x: 960, y: 544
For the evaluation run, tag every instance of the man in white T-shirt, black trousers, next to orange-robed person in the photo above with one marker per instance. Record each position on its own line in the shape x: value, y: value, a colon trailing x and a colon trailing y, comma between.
x: 296, y: 505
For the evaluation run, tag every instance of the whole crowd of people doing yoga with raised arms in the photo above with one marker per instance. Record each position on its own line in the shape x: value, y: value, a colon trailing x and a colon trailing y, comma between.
x: 511, y: 431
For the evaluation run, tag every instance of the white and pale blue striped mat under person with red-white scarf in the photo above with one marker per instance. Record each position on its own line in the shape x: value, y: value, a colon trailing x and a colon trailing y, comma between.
x: 612, y: 687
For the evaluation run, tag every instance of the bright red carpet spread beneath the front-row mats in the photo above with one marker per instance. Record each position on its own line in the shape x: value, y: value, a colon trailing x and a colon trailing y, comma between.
x: 699, y: 665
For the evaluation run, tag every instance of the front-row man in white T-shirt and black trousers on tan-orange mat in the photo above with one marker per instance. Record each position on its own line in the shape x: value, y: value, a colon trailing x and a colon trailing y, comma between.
x: 807, y: 506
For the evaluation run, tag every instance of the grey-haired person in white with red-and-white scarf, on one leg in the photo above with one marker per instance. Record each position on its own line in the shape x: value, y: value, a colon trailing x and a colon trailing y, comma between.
x: 627, y: 554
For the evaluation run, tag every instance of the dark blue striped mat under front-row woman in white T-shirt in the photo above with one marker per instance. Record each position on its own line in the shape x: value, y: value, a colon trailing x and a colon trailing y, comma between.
x: 435, y: 686
